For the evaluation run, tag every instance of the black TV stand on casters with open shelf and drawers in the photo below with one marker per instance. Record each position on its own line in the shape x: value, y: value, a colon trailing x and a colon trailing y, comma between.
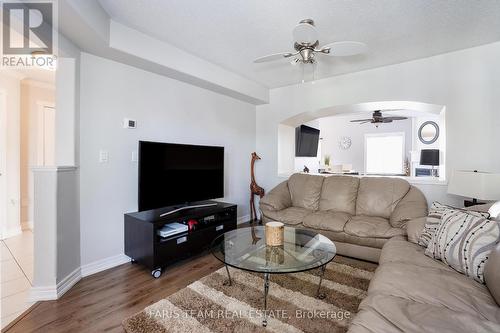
x: 144, y: 246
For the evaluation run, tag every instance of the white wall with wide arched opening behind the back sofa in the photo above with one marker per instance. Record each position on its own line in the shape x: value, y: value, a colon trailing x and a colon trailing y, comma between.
x: 467, y: 82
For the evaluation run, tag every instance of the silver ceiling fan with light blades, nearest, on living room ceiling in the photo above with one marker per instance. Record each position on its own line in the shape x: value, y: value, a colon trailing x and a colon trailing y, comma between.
x: 306, y: 46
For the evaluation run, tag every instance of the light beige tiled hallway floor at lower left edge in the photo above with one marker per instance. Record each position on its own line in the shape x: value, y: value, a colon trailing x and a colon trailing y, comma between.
x: 16, y: 275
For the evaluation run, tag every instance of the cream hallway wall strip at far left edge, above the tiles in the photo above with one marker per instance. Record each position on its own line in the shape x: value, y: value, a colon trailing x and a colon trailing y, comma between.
x: 10, y: 88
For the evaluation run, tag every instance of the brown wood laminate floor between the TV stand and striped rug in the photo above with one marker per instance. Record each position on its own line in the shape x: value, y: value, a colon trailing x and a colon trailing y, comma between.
x: 100, y: 302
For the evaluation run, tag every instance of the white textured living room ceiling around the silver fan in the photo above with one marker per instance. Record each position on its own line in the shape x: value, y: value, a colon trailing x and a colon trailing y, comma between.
x: 232, y: 33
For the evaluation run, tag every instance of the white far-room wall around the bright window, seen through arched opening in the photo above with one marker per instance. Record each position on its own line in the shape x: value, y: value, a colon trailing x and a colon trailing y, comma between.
x: 333, y: 128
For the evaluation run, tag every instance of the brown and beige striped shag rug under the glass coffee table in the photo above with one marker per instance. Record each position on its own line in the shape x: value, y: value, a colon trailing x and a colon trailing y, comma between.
x: 208, y: 305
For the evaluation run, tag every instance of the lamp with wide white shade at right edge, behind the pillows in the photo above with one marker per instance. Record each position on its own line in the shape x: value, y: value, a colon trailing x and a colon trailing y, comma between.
x: 476, y: 185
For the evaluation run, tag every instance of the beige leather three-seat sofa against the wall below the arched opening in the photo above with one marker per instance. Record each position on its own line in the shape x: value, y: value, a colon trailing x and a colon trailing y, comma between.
x: 359, y: 214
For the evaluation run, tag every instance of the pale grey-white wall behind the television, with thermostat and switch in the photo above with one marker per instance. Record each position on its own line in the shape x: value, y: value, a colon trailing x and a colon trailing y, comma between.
x: 166, y: 110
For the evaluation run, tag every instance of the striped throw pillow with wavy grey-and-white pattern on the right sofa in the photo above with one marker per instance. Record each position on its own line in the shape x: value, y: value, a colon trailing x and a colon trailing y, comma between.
x: 463, y: 241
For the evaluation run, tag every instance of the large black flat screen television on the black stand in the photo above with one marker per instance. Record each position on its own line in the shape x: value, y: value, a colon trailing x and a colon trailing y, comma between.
x: 171, y: 174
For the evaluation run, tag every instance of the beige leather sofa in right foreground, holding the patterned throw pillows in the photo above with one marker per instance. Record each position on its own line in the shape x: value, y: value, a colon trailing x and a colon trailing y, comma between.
x: 411, y: 292
